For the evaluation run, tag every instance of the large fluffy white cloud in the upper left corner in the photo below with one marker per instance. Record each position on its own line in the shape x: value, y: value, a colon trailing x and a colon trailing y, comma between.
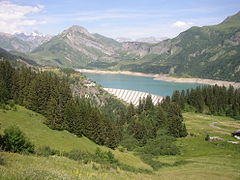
x: 13, y: 17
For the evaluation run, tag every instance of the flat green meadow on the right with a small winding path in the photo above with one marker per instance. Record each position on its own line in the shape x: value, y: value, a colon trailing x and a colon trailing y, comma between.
x: 201, y: 159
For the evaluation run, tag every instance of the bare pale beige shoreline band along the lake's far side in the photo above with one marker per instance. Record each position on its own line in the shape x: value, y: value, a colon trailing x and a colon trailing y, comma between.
x: 164, y: 77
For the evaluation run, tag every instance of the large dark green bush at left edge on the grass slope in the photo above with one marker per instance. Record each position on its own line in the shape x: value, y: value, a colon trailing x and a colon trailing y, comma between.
x: 15, y: 141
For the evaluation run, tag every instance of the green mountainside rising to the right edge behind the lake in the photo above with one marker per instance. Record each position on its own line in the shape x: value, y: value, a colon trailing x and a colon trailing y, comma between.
x: 205, y: 52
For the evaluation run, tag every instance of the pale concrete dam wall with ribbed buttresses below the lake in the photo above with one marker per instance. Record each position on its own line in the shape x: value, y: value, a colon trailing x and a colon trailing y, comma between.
x: 131, y: 96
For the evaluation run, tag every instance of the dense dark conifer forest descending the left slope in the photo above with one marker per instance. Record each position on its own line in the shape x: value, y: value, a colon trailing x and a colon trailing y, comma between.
x: 50, y: 95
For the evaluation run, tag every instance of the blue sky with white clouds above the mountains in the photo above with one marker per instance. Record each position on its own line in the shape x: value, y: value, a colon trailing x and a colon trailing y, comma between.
x: 114, y: 18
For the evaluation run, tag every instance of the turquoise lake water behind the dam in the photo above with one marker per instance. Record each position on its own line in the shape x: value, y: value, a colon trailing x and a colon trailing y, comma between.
x: 138, y: 83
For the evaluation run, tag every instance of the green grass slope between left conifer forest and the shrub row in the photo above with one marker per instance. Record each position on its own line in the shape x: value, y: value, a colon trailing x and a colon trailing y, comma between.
x: 40, y: 135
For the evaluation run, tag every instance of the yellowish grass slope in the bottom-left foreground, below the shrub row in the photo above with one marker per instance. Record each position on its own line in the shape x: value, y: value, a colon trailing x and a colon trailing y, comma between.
x: 23, y: 167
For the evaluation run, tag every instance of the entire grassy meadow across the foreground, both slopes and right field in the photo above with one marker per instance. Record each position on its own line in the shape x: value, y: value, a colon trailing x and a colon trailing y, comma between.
x: 199, y: 159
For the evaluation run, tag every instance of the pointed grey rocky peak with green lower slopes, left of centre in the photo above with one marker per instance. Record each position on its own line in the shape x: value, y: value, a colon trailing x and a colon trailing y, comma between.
x: 76, y: 47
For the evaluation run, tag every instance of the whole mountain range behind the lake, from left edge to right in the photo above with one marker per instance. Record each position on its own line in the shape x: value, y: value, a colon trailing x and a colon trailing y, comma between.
x: 202, y: 52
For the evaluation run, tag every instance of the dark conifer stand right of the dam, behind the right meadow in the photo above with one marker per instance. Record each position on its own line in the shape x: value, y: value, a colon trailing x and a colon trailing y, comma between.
x: 209, y: 99
